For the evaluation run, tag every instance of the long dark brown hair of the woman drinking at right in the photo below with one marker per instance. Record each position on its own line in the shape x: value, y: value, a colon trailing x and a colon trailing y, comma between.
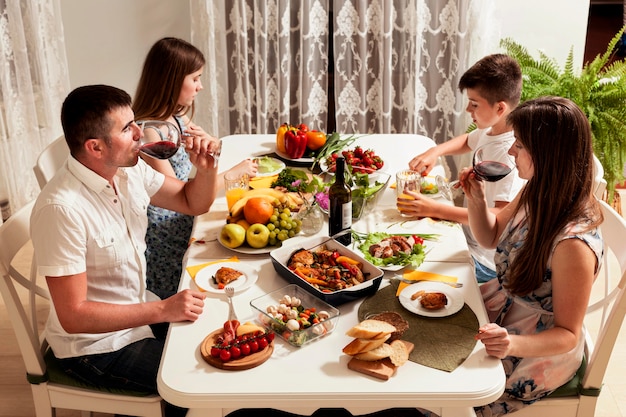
x: 557, y: 135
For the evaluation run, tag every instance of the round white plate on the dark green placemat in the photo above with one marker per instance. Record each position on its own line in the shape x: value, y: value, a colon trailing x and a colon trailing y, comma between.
x: 455, y: 299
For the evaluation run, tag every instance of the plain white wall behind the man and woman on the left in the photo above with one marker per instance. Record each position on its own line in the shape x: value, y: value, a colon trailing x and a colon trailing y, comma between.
x: 107, y: 40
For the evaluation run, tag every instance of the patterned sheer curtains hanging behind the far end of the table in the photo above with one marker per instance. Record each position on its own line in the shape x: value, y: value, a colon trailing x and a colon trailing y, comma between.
x: 396, y: 64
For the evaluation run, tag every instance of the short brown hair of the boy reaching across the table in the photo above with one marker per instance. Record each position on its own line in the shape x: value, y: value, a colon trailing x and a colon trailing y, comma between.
x: 497, y: 77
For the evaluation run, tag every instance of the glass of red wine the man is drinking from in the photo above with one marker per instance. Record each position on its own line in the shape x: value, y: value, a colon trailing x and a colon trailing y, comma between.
x: 161, y: 140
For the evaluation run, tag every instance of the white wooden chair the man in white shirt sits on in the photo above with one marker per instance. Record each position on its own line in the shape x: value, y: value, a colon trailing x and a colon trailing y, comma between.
x: 50, y: 386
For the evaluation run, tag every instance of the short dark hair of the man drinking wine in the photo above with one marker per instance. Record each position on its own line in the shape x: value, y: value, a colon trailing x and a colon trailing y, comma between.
x: 85, y: 113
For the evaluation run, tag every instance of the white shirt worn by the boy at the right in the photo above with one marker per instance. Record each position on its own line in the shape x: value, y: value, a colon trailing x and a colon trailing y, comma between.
x: 504, y: 190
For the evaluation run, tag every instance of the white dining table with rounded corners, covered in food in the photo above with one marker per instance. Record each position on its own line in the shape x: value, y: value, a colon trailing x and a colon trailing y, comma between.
x: 303, y: 379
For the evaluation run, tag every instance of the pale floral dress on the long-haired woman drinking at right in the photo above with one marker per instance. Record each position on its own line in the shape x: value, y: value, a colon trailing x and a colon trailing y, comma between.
x: 530, y: 379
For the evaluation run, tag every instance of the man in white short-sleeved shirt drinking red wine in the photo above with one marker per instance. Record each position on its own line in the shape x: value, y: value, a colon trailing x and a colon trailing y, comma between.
x: 88, y: 230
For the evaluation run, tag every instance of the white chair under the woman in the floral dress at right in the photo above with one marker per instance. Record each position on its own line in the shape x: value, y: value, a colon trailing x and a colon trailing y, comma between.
x: 578, y: 398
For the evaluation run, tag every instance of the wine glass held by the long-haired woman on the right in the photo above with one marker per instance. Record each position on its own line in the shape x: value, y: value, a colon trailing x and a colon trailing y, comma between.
x: 491, y: 162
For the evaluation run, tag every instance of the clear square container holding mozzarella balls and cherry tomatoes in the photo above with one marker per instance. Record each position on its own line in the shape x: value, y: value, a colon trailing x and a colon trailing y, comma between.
x: 262, y: 304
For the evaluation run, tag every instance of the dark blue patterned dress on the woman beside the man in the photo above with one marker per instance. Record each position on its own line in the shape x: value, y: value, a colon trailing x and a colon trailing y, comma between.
x: 168, y: 235
